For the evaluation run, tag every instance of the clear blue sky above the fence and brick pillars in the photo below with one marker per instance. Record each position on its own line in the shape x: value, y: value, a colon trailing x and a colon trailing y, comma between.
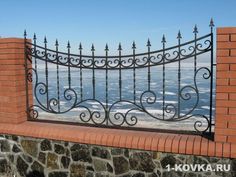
x: 114, y: 21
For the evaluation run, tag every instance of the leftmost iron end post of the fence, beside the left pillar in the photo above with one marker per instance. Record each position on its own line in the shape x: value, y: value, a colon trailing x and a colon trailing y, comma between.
x: 26, y: 76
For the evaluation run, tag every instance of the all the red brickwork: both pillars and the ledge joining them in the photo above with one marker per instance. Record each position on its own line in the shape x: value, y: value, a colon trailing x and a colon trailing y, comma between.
x: 13, y: 106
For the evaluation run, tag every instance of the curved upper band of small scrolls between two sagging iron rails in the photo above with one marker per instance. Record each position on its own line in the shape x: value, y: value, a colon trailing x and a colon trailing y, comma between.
x: 165, y: 55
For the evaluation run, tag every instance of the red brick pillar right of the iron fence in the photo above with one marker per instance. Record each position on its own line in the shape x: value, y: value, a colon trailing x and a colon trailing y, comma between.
x: 225, y: 130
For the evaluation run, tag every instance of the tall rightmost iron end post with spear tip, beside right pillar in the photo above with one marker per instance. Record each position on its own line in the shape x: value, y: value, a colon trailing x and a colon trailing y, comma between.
x: 211, y: 84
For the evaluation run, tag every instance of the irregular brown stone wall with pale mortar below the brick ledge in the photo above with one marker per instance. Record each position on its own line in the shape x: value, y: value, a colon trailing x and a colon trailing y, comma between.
x: 25, y: 156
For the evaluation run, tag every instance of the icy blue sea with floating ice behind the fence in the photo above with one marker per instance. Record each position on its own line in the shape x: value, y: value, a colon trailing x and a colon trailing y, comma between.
x: 193, y: 102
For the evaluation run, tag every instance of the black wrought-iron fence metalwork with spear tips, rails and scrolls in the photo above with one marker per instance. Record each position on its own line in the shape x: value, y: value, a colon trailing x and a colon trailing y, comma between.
x: 120, y: 62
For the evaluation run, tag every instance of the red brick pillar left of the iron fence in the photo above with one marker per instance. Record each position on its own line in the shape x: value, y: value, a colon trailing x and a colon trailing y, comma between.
x: 12, y: 81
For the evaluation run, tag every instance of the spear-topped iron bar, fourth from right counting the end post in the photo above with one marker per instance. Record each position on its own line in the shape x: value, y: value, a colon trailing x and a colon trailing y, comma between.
x: 163, y: 77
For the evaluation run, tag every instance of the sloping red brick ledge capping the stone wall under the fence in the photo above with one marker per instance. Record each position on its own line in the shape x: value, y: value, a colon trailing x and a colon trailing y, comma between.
x: 151, y: 141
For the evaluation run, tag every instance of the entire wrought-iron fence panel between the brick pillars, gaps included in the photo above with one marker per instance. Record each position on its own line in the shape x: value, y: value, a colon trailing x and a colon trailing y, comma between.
x: 64, y: 82
